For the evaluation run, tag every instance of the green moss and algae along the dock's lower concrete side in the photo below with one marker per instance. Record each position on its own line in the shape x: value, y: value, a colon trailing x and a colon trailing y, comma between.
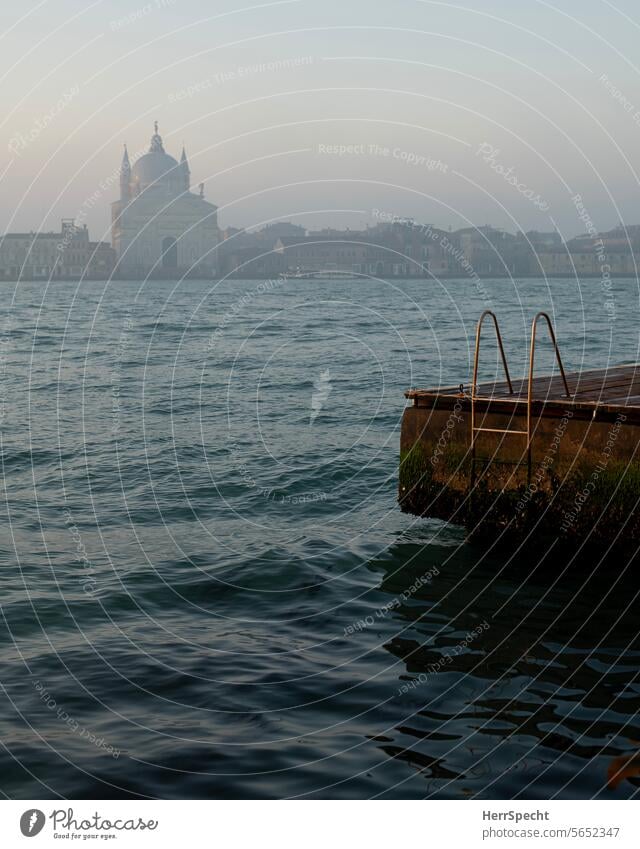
x: 568, y: 504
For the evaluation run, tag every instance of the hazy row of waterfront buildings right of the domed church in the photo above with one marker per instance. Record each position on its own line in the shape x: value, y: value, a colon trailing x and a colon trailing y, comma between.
x: 406, y: 249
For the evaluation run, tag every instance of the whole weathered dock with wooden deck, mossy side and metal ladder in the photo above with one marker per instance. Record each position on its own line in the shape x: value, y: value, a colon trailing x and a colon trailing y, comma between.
x: 553, y: 456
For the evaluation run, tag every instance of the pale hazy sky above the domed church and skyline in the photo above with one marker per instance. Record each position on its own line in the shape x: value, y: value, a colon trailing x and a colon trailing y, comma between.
x: 452, y: 113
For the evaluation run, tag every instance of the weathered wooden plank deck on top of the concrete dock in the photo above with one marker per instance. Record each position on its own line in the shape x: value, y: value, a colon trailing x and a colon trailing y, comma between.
x: 595, y: 393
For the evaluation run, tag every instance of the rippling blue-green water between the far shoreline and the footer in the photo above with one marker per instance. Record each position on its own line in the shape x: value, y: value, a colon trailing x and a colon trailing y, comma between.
x: 208, y: 589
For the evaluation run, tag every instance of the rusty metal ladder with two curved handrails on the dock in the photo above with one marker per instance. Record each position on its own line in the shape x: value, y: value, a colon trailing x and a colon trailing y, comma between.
x: 475, y: 430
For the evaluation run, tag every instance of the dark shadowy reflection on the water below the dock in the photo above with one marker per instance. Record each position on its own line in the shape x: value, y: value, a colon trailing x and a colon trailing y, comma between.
x: 539, y: 698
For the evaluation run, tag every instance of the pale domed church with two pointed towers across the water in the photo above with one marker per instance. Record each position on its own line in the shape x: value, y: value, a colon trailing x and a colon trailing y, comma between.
x: 159, y: 227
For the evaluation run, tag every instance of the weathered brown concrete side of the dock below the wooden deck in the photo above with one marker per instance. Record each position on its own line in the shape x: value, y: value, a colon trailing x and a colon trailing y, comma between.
x: 584, y: 482
